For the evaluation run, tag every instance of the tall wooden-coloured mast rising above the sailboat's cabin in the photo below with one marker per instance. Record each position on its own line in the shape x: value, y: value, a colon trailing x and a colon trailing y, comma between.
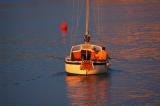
x: 87, y: 36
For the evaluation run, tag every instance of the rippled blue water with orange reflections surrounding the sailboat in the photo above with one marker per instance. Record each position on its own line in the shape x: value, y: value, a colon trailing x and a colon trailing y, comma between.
x: 30, y: 38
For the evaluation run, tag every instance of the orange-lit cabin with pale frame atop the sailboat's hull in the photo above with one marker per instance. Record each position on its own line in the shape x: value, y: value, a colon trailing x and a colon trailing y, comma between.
x: 84, y: 52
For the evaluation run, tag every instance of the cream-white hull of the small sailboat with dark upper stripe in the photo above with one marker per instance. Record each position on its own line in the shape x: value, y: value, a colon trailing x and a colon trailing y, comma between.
x: 74, y: 68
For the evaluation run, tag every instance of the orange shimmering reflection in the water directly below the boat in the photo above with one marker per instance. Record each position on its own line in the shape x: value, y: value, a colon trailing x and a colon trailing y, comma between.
x: 88, y: 90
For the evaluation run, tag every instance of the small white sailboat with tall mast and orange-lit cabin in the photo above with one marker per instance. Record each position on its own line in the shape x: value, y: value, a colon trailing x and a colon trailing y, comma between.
x: 82, y: 59
